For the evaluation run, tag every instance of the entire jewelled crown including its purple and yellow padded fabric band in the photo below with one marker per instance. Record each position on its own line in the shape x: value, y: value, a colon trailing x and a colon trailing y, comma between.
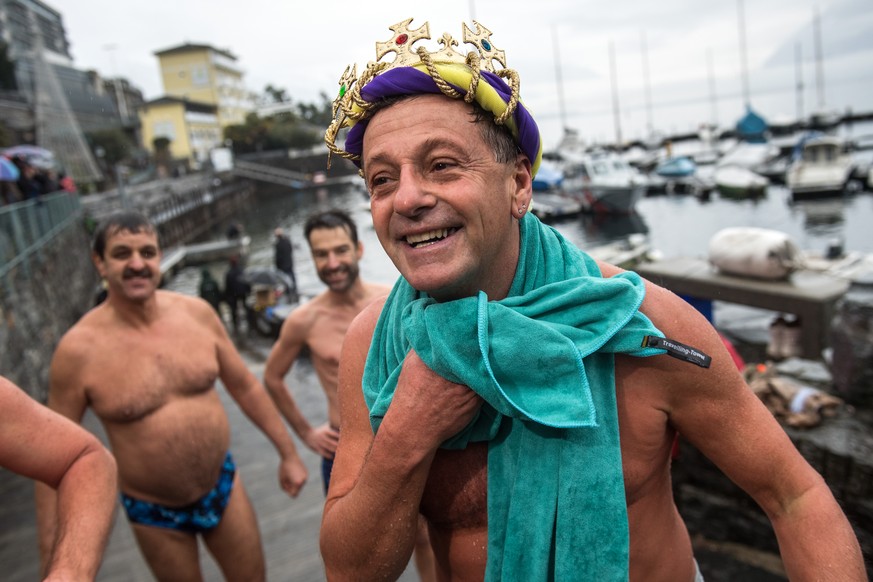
x: 415, y: 71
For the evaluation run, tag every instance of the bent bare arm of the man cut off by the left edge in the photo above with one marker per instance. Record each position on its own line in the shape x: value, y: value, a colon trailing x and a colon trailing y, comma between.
x: 40, y: 444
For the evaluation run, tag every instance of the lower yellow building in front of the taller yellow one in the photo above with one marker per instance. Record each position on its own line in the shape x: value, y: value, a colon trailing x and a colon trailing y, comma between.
x: 192, y: 128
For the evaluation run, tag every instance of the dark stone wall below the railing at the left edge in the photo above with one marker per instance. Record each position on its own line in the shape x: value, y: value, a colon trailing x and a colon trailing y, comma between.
x: 39, y: 303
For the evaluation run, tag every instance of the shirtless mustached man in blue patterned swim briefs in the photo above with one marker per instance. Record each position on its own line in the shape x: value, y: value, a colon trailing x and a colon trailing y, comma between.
x: 146, y: 362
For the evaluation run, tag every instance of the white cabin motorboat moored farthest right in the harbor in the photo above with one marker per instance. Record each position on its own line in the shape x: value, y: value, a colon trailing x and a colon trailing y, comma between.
x: 821, y: 167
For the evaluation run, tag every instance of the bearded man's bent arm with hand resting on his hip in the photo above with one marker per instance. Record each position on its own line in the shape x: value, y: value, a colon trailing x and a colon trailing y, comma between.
x: 291, y: 340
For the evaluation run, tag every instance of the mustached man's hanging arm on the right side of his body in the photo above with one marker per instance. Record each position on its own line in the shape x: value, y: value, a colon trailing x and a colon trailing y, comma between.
x: 254, y: 401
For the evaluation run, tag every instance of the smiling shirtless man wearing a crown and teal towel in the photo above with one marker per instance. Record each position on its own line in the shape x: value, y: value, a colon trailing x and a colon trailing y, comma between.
x: 489, y: 291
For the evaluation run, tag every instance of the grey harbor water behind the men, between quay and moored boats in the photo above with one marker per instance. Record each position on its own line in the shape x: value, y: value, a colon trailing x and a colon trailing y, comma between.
x: 674, y: 226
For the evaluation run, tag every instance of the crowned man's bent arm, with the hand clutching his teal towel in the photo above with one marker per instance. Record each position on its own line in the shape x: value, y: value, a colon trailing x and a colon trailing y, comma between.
x: 371, y: 514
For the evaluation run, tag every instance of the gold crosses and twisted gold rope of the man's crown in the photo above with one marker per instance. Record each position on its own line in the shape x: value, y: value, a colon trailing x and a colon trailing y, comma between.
x: 349, y: 107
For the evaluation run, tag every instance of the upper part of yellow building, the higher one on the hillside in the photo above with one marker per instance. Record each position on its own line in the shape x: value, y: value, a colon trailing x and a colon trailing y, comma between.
x: 204, y: 74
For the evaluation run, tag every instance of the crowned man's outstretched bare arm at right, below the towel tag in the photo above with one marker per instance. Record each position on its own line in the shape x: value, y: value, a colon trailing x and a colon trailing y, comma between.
x: 717, y: 412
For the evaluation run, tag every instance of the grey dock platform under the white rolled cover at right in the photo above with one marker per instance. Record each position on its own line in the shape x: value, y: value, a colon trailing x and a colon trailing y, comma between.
x: 810, y: 295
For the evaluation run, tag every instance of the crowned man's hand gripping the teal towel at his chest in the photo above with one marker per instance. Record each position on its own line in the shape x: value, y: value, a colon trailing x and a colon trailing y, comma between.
x: 434, y: 408
